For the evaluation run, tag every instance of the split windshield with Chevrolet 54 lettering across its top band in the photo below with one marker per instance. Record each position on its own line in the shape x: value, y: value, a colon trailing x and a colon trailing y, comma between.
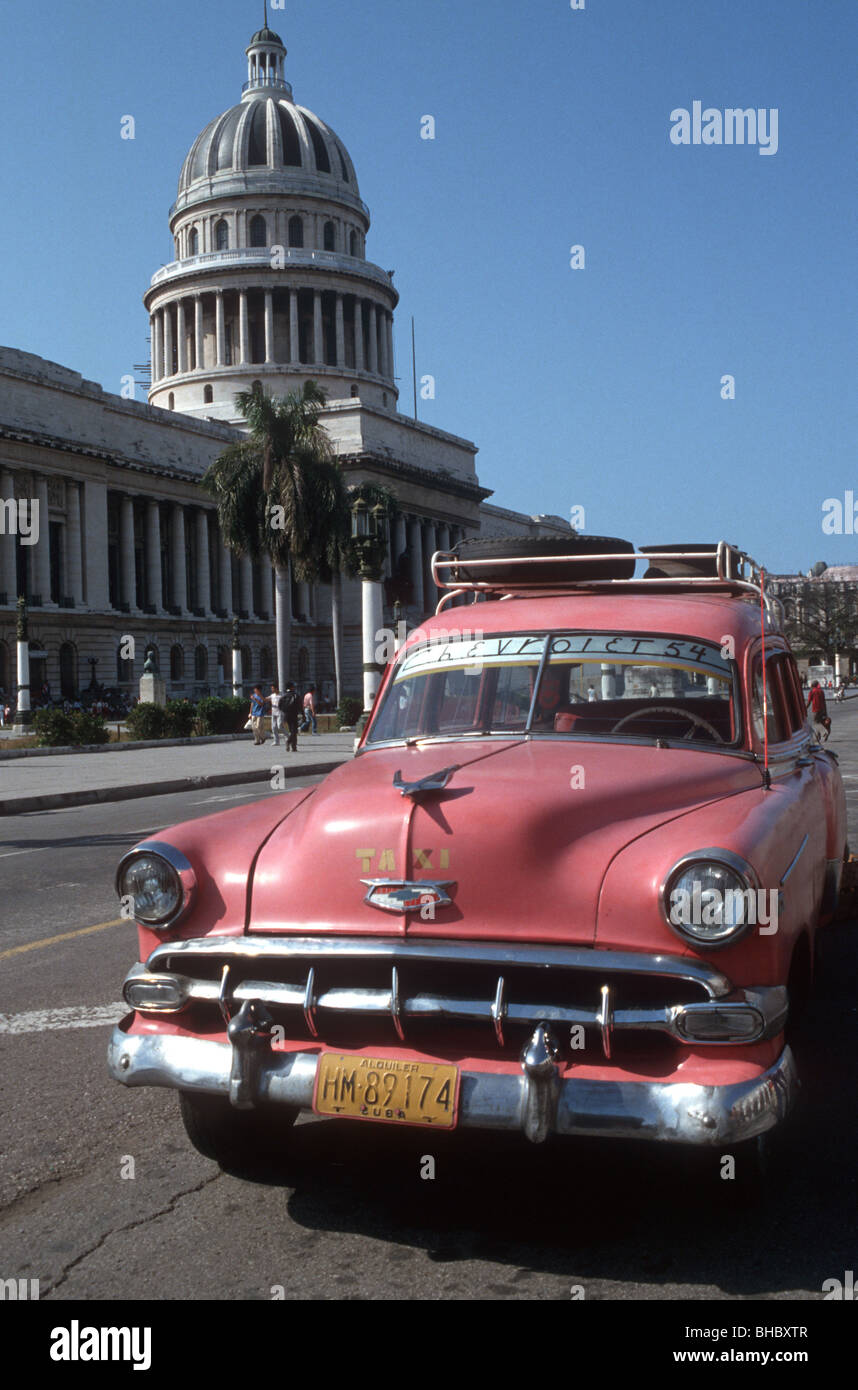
x: 581, y: 685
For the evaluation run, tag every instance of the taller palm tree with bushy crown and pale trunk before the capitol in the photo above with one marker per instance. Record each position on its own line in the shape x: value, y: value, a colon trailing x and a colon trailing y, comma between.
x: 280, y: 494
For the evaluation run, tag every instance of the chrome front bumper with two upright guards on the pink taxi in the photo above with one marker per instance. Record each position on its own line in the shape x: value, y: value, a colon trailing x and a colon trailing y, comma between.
x: 537, y: 1102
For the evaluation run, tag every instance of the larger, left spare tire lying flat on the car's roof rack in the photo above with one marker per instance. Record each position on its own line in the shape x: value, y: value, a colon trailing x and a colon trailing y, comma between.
x: 504, y: 548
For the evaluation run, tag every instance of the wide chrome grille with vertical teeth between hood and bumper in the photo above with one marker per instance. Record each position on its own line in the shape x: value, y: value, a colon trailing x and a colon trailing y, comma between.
x: 354, y: 990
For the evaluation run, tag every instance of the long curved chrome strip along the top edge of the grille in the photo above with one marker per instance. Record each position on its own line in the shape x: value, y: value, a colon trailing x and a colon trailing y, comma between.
x: 284, y: 947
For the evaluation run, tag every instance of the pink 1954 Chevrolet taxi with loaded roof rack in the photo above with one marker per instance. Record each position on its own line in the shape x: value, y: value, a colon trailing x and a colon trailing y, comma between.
x: 571, y: 883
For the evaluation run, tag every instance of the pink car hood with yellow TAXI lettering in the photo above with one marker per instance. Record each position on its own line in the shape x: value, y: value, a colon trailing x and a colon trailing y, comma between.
x: 524, y: 833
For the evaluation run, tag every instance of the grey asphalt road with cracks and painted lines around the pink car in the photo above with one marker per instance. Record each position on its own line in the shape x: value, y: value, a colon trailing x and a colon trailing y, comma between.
x: 348, y: 1216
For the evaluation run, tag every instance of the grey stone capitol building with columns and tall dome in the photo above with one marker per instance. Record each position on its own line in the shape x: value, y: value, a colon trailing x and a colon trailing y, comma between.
x: 270, y: 284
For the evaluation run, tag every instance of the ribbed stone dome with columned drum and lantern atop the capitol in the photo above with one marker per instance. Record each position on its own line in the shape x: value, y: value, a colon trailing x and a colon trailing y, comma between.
x: 270, y: 280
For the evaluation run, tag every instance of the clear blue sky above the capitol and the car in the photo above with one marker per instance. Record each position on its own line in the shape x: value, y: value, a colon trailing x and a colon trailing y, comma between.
x: 599, y: 387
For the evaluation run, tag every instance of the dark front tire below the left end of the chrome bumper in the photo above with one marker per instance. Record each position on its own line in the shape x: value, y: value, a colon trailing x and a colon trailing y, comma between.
x: 240, y: 1142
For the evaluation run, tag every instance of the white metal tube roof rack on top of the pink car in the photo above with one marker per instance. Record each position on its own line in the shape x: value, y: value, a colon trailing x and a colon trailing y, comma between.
x: 735, y: 572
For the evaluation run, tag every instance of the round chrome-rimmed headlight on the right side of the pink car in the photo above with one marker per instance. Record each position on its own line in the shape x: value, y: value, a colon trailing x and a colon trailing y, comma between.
x: 710, y: 899
